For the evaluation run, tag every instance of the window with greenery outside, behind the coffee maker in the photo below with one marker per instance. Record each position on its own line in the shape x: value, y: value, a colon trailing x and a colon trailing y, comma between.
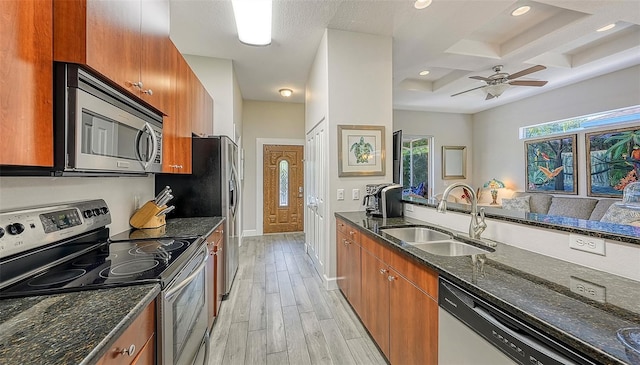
x: 417, y: 165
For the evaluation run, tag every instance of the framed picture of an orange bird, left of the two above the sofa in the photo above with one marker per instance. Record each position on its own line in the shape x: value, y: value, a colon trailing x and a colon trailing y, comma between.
x: 551, y: 165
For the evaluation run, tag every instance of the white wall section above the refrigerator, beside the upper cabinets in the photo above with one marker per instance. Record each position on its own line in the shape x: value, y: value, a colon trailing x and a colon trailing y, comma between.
x: 218, y: 78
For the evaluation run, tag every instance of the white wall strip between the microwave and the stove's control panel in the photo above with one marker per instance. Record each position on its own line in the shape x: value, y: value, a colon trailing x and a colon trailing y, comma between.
x: 118, y: 192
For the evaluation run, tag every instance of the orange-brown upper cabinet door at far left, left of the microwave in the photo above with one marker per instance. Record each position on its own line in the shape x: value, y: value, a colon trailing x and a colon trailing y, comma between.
x: 26, y: 85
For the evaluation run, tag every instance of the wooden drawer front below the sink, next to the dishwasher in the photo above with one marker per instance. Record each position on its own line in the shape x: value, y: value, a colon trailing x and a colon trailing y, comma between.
x: 422, y: 277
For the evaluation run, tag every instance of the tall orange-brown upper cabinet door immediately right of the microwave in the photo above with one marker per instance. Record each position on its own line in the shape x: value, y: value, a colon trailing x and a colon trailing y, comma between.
x: 176, y: 129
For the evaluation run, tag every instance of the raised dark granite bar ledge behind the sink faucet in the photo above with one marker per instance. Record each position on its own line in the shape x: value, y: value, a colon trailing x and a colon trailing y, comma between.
x: 616, y: 232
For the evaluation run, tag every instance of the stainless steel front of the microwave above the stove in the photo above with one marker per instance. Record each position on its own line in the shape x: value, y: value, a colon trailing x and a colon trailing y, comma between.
x: 109, y: 138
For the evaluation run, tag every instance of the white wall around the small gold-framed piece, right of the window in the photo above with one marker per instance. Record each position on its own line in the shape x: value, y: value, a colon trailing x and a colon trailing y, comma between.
x: 448, y: 129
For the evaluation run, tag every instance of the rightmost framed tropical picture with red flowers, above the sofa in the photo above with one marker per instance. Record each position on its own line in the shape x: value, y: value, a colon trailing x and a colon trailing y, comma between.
x: 613, y: 162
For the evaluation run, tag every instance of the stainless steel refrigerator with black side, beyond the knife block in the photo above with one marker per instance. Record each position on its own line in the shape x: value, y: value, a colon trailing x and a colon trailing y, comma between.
x: 212, y: 190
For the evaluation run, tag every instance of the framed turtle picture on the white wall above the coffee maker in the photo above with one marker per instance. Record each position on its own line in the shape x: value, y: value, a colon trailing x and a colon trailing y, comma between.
x: 360, y: 150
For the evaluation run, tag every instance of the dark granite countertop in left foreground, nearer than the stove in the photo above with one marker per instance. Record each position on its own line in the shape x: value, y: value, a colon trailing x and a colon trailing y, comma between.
x: 71, y: 328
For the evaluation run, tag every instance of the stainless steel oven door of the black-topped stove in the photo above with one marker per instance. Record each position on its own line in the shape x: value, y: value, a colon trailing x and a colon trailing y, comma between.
x: 183, y: 306
